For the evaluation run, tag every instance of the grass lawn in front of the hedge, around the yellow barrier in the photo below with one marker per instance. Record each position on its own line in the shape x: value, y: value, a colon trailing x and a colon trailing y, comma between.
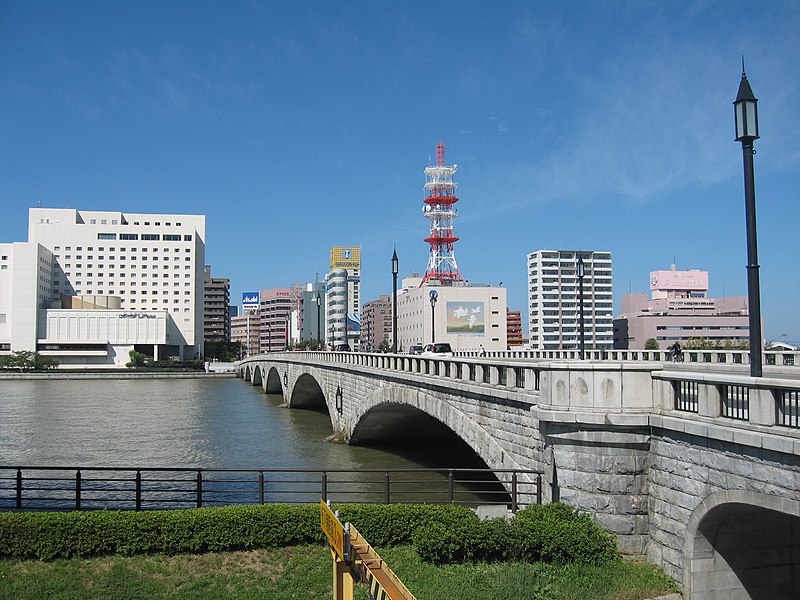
x: 300, y: 572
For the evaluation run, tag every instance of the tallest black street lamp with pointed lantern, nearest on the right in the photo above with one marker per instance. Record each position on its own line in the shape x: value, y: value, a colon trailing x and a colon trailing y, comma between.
x: 746, y: 115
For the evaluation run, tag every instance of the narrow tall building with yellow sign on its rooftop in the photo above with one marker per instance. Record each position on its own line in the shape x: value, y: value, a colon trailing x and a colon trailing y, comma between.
x: 343, y: 305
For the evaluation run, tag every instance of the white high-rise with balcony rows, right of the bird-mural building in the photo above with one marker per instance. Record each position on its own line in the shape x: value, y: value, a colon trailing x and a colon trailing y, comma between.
x: 553, y: 300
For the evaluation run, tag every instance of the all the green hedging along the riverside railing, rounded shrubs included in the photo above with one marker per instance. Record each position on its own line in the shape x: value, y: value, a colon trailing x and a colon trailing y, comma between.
x: 440, y: 533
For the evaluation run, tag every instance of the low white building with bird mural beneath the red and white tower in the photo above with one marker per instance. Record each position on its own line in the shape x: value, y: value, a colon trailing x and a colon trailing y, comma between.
x: 468, y: 317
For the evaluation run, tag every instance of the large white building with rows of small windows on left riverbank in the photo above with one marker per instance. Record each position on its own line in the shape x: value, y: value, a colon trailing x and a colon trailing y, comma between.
x: 90, y: 286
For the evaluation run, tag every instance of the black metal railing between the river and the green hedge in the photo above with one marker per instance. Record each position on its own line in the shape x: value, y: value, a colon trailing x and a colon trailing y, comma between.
x: 93, y: 488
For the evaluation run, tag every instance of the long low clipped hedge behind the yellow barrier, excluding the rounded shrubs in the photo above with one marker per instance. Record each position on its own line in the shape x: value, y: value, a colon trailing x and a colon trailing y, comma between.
x: 76, y: 534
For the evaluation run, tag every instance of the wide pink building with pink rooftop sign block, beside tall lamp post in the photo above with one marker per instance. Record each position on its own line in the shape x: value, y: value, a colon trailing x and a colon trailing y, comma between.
x: 679, y: 309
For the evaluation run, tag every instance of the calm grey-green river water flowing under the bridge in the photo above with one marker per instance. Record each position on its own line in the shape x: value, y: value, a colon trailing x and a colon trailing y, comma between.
x: 204, y: 423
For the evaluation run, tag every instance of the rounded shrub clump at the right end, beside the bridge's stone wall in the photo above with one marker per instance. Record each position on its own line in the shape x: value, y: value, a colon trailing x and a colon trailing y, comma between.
x: 551, y: 533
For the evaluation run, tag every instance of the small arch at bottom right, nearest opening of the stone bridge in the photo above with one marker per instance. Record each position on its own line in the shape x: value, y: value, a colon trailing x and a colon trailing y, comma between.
x: 743, y: 541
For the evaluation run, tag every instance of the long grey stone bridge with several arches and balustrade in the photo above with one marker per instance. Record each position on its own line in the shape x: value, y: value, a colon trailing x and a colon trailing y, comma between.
x: 695, y: 465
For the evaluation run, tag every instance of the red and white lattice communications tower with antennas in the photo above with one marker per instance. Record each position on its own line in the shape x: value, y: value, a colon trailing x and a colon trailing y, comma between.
x: 439, y: 208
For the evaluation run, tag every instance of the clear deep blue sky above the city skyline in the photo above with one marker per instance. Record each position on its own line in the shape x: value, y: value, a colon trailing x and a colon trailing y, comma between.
x: 297, y: 126
